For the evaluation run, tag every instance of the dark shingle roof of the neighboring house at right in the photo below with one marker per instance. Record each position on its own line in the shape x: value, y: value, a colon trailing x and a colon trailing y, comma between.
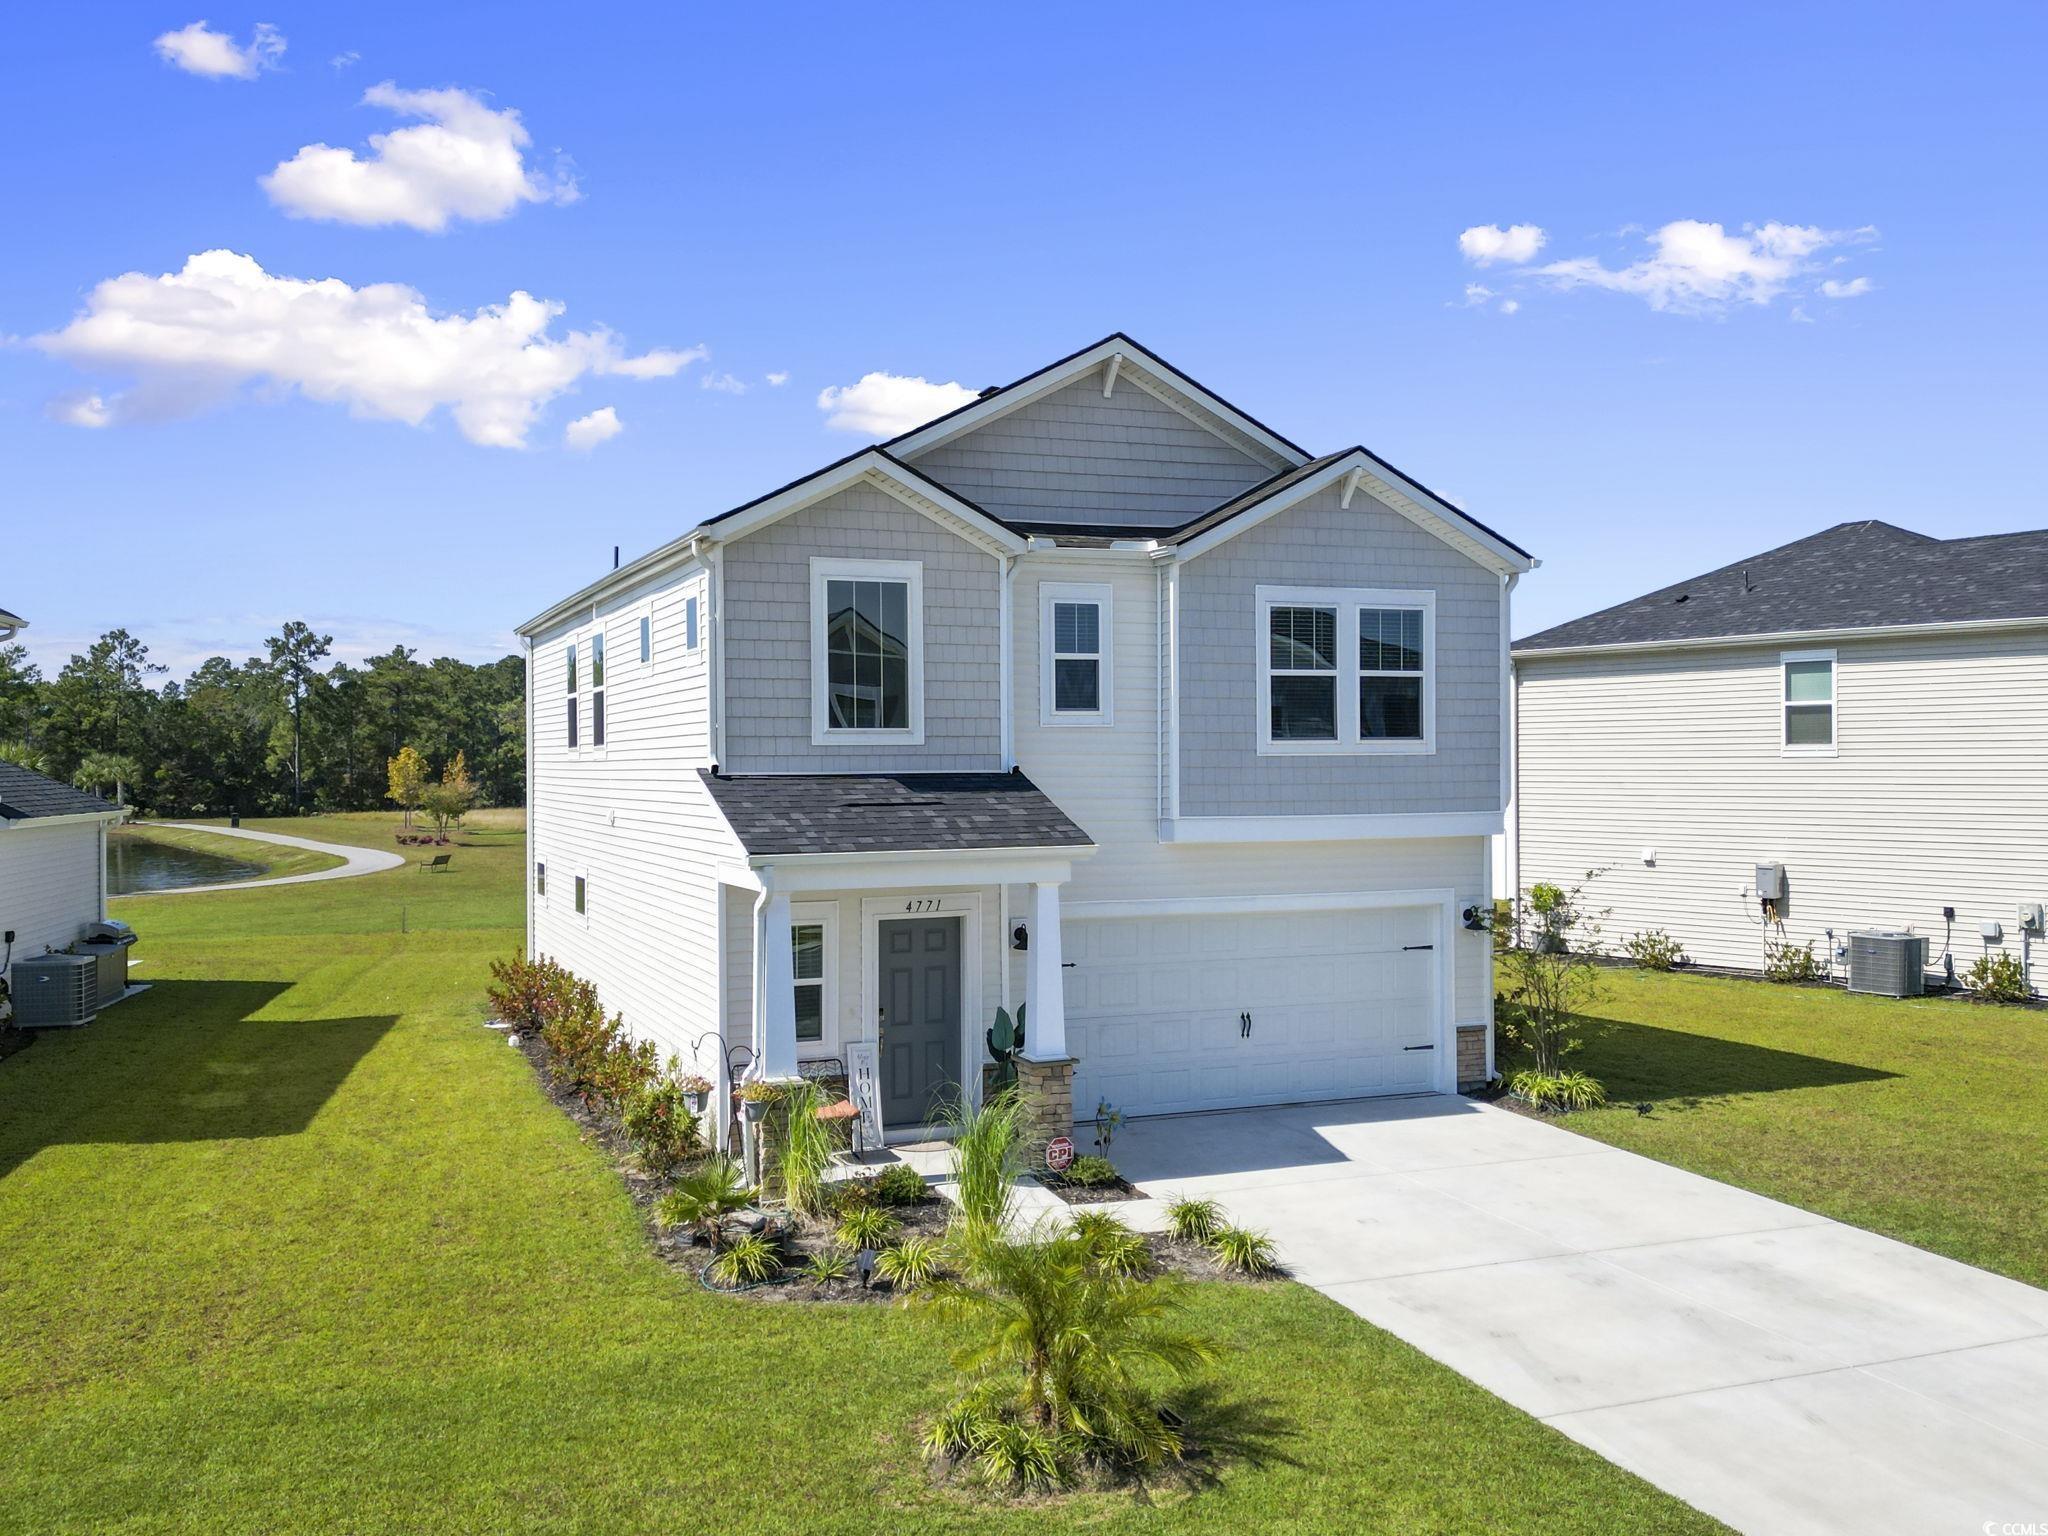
x: 1850, y: 577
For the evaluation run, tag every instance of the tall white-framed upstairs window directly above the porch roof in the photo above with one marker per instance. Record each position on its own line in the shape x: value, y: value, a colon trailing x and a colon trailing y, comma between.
x: 867, y: 652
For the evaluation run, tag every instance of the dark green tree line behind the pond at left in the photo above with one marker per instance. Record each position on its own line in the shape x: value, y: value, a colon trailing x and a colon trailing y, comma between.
x: 269, y: 736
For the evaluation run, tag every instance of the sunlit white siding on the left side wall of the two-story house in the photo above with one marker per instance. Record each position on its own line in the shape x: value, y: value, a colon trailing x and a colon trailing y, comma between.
x: 632, y: 818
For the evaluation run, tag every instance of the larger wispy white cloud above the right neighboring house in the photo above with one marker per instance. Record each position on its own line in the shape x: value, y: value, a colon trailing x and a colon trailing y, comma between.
x: 1699, y: 267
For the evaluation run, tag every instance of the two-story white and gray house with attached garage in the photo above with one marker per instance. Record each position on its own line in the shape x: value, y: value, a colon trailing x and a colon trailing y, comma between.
x: 1095, y: 695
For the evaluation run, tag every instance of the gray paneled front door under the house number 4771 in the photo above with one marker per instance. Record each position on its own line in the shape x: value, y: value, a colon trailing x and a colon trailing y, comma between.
x: 921, y: 990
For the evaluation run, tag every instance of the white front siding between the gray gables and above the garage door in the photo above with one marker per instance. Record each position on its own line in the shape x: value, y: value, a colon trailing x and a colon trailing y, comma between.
x: 1107, y: 781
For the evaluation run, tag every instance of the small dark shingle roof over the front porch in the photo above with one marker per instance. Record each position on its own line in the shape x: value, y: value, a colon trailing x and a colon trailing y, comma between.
x: 890, y: 814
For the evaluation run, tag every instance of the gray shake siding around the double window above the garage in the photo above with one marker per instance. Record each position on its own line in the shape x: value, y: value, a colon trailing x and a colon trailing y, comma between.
x: 1322, y: 546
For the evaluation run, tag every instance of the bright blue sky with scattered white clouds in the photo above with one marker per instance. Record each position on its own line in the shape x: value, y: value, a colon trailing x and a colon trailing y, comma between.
x: 1269, y: 198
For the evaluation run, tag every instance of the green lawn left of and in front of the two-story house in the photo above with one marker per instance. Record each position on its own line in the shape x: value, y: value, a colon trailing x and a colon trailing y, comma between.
x: 290, y: 1244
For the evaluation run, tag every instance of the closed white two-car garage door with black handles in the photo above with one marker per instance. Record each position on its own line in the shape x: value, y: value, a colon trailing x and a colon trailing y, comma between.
x: 1209, y: 1013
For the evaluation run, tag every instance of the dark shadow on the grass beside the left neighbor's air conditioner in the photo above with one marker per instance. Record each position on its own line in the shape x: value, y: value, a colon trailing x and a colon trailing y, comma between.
x: 183, y: 1062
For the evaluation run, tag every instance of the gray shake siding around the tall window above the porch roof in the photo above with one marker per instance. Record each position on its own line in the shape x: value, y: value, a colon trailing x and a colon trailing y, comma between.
x: 767, y: 617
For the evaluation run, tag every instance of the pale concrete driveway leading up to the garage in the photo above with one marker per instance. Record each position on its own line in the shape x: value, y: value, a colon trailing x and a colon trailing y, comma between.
x: 1775, y: 1369
